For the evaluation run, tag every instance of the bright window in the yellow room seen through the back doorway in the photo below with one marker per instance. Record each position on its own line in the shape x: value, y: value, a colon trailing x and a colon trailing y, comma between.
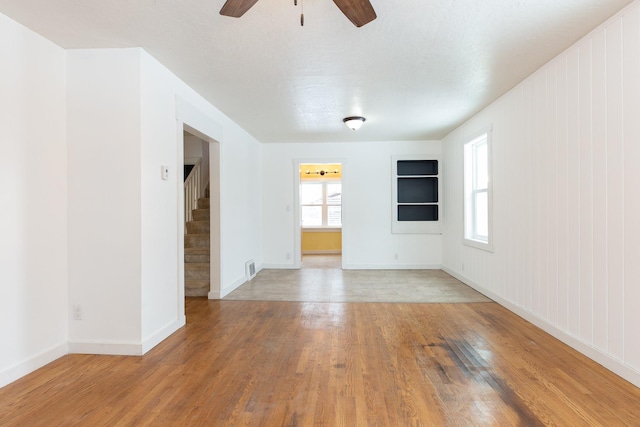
x: 321, y: 204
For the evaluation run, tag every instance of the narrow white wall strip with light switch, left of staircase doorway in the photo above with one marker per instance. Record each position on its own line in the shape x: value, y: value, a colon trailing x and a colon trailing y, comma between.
x: 161, y: 228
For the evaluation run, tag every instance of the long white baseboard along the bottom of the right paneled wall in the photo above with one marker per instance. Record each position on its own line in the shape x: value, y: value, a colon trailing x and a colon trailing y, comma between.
x: 614, y: 365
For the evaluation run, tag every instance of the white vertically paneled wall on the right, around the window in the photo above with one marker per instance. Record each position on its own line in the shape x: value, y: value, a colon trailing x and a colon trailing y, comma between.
x: 566, y: 197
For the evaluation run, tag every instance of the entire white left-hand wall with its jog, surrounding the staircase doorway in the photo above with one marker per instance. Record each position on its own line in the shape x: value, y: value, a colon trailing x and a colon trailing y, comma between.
x: 86, y: 219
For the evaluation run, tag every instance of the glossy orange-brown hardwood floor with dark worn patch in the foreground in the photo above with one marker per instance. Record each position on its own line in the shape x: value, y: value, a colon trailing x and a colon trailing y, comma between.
x: 257, y: 363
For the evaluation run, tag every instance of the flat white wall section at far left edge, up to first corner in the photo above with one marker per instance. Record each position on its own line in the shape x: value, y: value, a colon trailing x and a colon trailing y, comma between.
x: 33, y: 202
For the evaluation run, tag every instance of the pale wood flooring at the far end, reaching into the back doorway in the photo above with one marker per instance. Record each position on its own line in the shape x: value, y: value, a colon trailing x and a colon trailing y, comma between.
x: 321, y: 279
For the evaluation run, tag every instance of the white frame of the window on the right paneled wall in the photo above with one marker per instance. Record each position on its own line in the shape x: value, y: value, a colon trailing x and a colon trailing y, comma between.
x: 472, y: 189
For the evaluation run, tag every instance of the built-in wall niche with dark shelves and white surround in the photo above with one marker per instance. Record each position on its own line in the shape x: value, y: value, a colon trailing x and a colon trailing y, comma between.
x: 416, y: 195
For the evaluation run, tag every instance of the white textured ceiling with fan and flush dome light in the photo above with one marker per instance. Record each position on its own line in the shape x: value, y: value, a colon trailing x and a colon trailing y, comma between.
x: 418, y: 71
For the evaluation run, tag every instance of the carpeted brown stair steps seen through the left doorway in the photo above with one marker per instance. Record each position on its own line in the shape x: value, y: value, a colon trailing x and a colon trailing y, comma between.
x: 196, y: 252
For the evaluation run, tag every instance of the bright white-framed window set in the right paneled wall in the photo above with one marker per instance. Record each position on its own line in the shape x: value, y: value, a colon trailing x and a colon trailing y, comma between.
x: 477, y: 190
